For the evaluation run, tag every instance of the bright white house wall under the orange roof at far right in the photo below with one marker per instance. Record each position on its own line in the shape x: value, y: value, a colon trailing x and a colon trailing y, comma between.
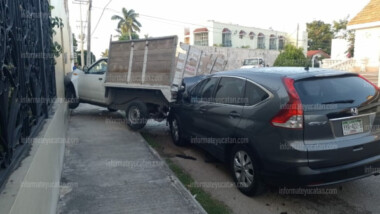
x: 367, y: 45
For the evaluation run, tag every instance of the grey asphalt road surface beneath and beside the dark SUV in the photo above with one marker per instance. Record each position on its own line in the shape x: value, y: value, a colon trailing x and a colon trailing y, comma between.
x: 361, y: 196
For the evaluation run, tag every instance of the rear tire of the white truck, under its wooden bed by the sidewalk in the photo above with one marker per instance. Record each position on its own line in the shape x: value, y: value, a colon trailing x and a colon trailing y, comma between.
x: 137, y: 115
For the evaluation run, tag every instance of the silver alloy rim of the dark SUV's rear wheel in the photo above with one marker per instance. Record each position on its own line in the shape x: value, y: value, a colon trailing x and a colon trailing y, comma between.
x: 243, y: 169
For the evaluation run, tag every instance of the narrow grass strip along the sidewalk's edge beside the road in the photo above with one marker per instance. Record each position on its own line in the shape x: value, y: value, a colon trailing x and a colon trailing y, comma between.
x: 205, y: 199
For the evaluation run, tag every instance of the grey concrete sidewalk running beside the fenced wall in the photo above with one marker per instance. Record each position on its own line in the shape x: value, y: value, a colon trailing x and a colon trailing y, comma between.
x: 110, y: 169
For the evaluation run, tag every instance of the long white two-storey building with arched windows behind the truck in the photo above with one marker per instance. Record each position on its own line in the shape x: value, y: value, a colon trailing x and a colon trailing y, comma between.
x: 237, y: 36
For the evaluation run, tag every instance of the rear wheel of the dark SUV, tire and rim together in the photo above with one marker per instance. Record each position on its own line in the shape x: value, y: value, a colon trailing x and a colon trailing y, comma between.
x: 244, y: 171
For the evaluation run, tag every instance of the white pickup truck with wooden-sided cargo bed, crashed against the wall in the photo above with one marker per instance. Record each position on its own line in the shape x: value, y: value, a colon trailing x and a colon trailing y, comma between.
x: 140, y: 77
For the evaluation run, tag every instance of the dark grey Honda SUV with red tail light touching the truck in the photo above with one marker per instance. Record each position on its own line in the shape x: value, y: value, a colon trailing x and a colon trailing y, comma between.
x: 282, y: 126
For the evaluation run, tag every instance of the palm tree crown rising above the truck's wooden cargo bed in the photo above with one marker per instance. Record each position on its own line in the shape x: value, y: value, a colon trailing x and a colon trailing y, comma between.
x: 128, y: 23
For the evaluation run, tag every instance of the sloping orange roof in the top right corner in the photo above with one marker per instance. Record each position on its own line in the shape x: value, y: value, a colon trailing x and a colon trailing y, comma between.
x: 370, y: 13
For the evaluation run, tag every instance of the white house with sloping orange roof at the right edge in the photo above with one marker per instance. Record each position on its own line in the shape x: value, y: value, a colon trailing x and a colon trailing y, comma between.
x: 367, y: 36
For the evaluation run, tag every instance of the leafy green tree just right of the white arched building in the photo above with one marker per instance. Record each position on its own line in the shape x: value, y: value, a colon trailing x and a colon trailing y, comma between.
x: 320, y: 36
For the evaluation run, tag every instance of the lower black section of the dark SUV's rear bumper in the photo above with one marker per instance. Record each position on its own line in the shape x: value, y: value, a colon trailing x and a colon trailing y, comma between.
x: 306, y: 176
